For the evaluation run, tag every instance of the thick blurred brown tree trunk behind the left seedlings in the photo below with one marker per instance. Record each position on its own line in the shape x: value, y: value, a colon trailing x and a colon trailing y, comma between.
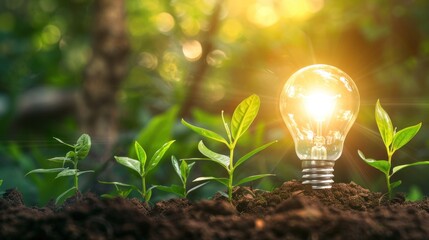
x: 104, y: 74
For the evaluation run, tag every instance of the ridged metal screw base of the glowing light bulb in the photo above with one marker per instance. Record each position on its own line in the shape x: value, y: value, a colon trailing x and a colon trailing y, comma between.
x: 318, y: 173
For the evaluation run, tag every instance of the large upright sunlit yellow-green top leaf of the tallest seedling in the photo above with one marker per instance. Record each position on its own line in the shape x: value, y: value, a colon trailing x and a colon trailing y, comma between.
x: 244, y: 115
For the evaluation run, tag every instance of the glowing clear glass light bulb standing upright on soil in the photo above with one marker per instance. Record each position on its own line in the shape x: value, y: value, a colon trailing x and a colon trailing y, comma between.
x: 319, y: 104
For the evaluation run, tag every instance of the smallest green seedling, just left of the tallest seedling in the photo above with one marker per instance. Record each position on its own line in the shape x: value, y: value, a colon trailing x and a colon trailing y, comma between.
x: 182, y: 171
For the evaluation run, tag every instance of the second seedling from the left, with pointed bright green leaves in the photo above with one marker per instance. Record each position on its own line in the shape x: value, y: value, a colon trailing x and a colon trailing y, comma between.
x: 142, y: 168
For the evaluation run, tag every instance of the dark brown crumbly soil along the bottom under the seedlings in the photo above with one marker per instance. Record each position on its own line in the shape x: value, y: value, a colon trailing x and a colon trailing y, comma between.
x: 292, y: 211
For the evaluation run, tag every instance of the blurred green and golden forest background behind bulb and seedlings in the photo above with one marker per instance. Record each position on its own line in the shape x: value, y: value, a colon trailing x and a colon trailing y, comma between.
x: 192, y: 59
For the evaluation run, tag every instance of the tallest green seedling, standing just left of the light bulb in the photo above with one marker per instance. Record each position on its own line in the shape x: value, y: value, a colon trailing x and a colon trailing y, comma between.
x: 242, y: 118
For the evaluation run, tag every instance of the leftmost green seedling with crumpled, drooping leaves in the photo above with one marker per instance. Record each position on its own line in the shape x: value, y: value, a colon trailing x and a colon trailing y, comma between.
x: 69, y: 163
